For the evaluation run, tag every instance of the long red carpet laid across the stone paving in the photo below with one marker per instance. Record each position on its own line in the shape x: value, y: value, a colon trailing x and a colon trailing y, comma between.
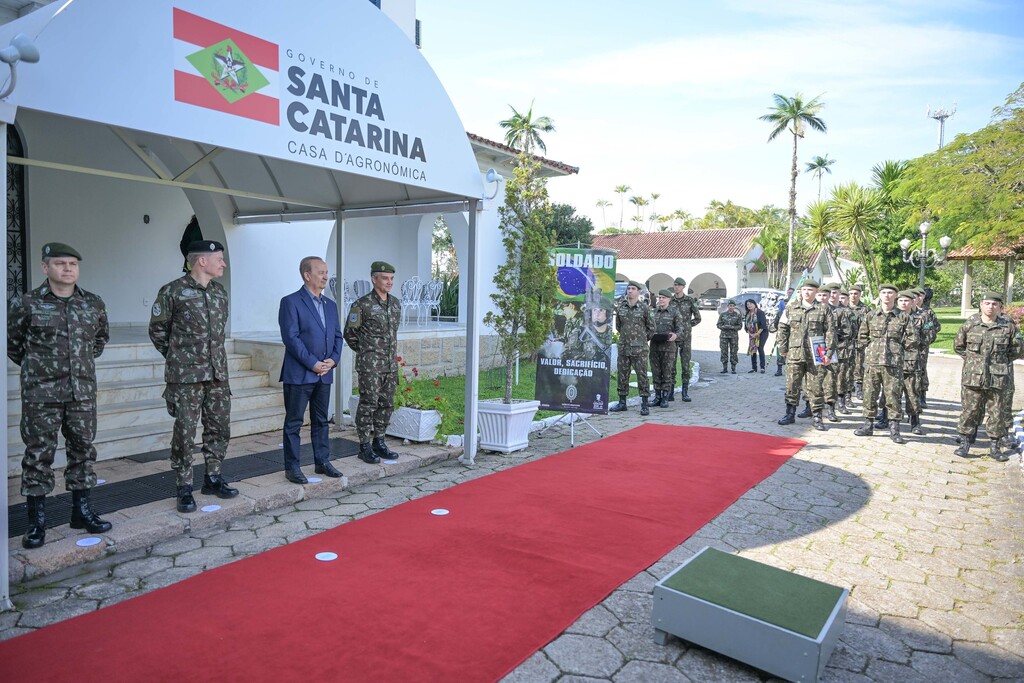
x: 419, y: 597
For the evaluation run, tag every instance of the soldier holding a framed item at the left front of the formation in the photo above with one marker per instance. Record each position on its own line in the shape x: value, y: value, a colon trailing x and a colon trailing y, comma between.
x: 801, y: 321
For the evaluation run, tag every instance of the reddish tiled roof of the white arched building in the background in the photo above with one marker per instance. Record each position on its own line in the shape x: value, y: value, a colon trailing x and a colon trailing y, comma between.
x: 727, y: 243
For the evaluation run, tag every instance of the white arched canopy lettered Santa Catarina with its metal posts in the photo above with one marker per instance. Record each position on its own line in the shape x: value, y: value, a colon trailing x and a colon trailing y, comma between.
x: 258, y: 113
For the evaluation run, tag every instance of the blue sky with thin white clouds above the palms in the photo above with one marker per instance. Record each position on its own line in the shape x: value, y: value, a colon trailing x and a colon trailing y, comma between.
x: 665, y: 96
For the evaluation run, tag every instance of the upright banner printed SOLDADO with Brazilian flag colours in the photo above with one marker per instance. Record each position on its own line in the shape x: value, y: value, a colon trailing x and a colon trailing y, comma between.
x: 575, y: 366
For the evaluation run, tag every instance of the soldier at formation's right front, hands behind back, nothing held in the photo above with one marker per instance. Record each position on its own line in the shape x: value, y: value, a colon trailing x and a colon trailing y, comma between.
x: 885, y: 335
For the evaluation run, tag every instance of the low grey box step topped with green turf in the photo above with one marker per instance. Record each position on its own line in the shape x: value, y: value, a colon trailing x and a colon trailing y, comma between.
x: 771, y: 619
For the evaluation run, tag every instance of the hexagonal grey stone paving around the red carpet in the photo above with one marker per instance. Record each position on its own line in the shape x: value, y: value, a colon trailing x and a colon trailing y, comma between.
x: 932, y: 547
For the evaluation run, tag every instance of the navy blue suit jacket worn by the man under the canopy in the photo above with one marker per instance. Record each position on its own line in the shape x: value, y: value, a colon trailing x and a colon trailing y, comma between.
x: 307, y: 340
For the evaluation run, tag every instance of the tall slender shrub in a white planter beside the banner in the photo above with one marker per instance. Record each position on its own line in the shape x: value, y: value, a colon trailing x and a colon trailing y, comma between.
x: 524, y: 302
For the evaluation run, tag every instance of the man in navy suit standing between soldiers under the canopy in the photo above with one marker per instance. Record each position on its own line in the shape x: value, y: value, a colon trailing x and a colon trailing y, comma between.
x: 313, y: 340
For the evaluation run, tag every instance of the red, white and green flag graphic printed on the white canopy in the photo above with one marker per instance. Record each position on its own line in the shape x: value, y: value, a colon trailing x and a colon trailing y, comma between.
x: 222, y: 69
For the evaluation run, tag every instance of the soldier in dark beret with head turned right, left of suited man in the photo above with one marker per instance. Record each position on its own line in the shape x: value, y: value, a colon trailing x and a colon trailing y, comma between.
x: 187, y: 326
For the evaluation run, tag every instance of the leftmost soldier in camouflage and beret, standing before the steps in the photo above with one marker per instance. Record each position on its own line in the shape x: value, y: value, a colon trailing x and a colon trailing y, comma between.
x: 55, y: 333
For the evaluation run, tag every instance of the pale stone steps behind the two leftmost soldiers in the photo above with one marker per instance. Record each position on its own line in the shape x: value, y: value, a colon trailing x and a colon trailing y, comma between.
x: 132, y: 413
